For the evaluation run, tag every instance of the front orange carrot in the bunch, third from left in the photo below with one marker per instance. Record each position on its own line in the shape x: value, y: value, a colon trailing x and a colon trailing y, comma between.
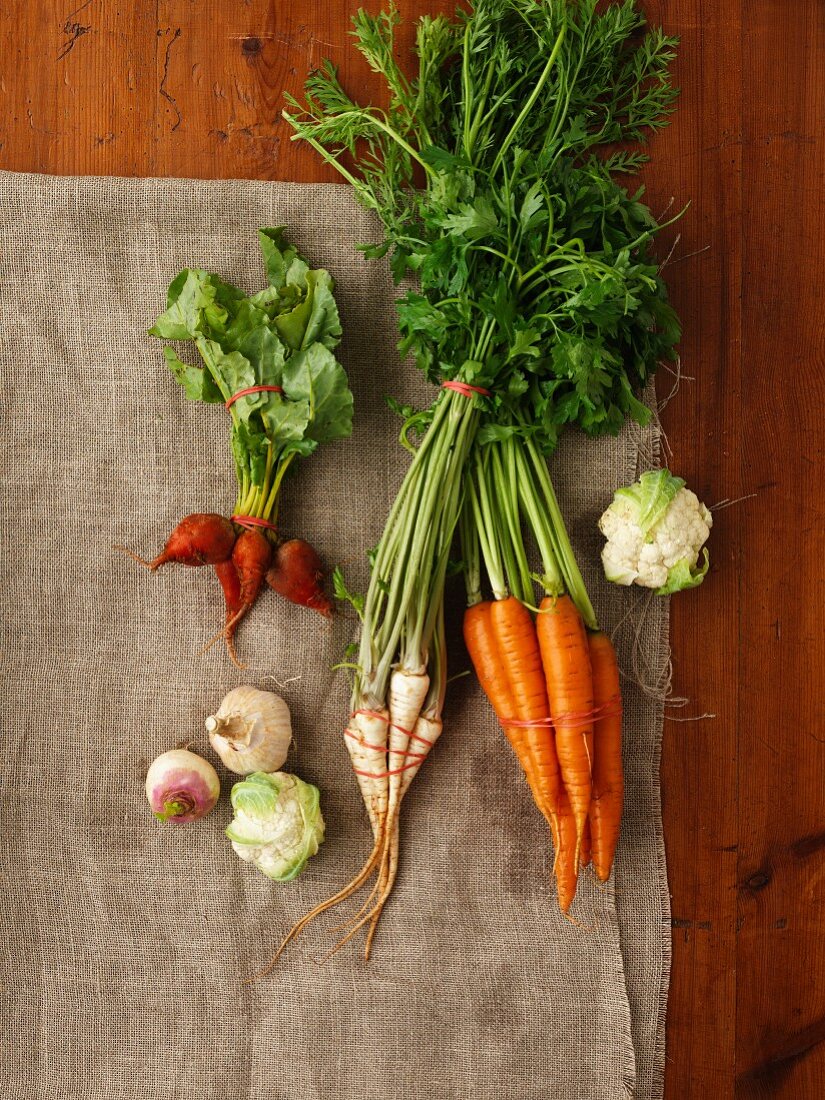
x: 566, y: 658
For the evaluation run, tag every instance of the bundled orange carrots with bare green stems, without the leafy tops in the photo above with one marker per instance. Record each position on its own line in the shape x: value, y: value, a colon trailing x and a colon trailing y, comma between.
x: 553, y: 679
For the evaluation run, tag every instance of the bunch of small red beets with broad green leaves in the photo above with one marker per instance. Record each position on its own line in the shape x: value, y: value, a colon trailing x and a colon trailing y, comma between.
x: 268, y: 361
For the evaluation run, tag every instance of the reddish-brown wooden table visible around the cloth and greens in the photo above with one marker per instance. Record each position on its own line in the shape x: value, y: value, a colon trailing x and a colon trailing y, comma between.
x: 194, y: 89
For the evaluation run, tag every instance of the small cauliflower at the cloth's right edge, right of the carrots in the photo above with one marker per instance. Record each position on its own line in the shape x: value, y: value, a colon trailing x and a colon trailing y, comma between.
x: 655, y: 531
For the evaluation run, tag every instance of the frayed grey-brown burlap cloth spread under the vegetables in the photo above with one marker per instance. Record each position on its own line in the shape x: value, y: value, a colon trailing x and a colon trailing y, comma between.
x: 126, y: 942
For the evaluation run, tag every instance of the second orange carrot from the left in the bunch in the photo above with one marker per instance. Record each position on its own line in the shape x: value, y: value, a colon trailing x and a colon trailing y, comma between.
x: 521, y: 659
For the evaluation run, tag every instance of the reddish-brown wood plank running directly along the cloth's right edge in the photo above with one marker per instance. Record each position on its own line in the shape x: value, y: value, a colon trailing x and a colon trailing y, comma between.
x: 699, y: 160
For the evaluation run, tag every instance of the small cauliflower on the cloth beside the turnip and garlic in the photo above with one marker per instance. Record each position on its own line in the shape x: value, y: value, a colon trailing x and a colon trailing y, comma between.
x: 278, y: 823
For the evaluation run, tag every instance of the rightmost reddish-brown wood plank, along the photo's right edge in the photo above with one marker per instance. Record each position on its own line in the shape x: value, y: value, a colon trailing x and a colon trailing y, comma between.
x: 782, y: 912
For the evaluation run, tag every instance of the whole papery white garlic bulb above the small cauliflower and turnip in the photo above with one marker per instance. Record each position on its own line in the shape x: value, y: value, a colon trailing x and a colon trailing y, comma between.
x: 251, y: 731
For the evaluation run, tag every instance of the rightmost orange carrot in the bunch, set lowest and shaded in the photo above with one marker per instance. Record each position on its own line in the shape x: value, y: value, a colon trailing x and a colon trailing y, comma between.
x: 606, y: 811
